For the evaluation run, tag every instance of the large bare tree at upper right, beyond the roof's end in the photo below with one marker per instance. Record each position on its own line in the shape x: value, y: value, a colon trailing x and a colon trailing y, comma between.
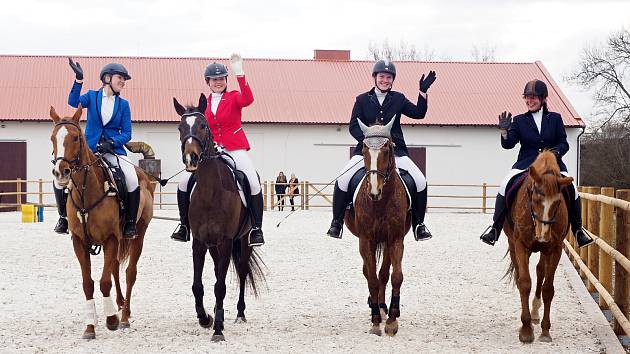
x: 605, y: 69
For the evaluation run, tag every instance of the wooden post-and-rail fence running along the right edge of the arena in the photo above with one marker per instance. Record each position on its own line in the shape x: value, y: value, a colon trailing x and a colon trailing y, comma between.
x: 604, y: 264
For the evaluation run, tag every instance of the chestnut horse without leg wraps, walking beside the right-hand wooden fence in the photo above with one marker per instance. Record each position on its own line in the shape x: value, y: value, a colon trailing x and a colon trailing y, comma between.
x: 539, y: 222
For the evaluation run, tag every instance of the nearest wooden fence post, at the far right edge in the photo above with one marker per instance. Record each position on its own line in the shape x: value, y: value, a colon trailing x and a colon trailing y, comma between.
x: 622, y: 278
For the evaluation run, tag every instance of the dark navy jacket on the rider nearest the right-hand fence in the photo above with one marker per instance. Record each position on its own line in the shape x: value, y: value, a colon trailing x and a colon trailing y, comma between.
x: 552, y: 136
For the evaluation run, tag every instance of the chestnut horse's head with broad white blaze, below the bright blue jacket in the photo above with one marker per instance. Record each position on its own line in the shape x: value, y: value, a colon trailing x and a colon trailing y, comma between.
x: 68, y: 144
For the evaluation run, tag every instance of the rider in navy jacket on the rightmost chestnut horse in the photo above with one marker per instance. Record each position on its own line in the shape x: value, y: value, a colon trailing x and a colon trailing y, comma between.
x: 536, y: 130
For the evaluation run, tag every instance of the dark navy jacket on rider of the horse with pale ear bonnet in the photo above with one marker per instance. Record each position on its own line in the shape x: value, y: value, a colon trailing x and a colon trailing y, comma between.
x: 370, y: 111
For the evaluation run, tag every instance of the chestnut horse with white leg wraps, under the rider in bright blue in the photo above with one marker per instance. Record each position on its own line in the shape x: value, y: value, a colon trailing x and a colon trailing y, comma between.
x: 93, y: 219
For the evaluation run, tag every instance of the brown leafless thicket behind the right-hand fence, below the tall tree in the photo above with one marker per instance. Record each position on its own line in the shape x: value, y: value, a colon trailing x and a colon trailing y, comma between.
x: 605, y: 157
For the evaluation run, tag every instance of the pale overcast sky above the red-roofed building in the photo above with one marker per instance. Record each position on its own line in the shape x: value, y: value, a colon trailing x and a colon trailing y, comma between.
x: 554, y: 32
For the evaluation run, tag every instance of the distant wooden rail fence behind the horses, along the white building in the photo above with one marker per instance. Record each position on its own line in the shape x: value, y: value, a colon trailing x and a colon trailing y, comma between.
x: 311, y: 195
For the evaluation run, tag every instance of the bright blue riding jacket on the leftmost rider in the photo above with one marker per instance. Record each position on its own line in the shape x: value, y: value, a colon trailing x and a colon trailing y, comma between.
x: 118, y: 129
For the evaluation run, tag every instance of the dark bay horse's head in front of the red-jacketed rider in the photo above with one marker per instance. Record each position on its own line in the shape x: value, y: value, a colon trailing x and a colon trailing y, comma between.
x: 195, y: 136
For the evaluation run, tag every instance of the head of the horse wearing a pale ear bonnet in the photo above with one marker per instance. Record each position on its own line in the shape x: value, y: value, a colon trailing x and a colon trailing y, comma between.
x: 378, y: 156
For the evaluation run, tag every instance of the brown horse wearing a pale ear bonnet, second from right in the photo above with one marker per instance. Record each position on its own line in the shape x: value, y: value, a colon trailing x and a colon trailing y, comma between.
x: 381, y: 219
